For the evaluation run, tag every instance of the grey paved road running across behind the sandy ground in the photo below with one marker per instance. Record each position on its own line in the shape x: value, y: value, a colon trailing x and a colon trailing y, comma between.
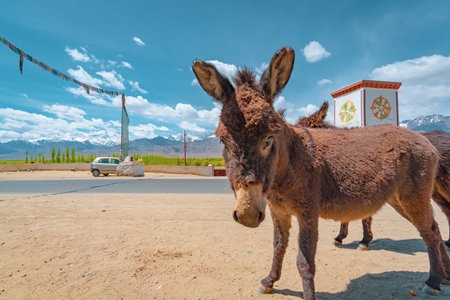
x: 115, y: 186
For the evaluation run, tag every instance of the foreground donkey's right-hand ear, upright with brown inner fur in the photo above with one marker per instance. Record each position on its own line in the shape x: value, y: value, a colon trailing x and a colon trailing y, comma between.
x: 277, y: 75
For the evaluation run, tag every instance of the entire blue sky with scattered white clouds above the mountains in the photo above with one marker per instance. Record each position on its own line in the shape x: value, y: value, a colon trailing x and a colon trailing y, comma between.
x: 145, y: 49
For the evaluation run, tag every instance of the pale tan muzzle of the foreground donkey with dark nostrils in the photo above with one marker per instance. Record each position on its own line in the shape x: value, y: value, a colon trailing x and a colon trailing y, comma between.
x: 250, y: 206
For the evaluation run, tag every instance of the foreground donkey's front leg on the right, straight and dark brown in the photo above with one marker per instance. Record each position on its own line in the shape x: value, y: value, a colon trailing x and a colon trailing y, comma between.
x: 308, y: 237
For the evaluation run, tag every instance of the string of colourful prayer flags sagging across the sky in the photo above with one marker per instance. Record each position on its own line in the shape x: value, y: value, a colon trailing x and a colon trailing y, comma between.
x: 52, y: 70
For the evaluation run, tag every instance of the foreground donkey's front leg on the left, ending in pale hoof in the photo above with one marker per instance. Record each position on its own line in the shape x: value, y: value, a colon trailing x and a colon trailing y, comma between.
x: 281, y: 226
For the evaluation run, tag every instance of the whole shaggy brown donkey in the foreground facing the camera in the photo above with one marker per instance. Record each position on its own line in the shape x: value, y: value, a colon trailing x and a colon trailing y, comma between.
x: 305, y: 172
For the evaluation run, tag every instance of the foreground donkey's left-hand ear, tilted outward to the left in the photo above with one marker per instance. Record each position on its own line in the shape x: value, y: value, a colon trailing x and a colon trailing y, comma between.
x: 215, y: 84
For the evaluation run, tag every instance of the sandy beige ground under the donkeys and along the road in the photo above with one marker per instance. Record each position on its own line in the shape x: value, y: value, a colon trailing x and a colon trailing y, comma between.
x: 169, y: 246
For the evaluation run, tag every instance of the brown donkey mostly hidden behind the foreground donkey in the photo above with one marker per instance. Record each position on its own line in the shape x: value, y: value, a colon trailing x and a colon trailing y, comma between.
x: 441, y: 193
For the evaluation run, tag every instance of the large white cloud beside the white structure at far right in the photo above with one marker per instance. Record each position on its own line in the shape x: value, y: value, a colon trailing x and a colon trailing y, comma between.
x: 425, y: 84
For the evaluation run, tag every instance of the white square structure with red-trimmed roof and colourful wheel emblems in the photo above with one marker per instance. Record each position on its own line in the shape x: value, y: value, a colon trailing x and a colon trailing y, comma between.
x: 366, y: 103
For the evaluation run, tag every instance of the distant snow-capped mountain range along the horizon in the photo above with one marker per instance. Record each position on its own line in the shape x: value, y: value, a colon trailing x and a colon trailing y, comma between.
x: 206, y: 145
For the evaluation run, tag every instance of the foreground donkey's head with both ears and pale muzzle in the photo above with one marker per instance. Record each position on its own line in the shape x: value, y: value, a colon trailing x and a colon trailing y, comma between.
x: 249, y: 128
